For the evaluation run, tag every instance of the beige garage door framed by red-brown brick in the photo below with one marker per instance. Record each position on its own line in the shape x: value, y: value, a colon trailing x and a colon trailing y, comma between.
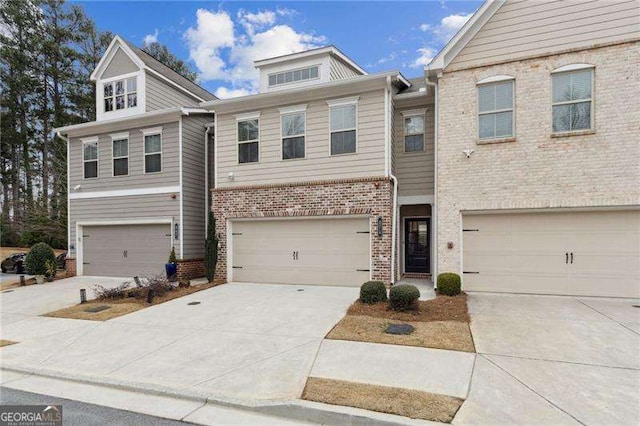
x: 302, y: 251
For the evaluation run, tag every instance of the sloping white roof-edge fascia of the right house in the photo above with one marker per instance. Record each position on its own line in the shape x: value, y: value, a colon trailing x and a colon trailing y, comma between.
x: 464, y: 35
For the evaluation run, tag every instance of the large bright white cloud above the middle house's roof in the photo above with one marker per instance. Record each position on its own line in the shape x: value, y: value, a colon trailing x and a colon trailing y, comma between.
x: 222, y: 50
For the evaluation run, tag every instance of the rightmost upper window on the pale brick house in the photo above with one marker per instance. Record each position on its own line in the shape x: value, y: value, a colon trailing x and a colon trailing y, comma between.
x: 572, y: 100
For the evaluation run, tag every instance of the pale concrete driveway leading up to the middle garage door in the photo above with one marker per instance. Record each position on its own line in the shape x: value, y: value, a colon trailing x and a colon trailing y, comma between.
x: 242, y: 341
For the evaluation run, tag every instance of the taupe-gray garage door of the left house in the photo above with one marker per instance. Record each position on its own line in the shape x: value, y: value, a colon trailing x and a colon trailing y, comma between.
x: 125, y: 250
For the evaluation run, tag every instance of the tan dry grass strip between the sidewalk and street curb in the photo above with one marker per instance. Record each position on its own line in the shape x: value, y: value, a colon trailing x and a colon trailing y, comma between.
x: 403, y: 402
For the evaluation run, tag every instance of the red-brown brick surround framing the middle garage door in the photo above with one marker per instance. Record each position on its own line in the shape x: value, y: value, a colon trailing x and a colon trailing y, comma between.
x: 371, y: 196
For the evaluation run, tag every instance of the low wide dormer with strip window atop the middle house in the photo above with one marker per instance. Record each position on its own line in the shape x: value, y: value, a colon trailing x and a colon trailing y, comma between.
x: 306, y: 68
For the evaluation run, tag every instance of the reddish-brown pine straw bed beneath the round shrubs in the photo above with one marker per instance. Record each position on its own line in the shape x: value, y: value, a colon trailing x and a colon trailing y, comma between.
x: 442, y: 308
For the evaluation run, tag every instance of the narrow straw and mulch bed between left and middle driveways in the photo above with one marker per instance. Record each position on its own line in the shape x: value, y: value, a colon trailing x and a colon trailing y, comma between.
x: 118, y: 308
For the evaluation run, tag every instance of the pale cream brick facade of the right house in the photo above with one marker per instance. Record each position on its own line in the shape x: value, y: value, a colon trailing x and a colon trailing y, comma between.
x: 537, y: 170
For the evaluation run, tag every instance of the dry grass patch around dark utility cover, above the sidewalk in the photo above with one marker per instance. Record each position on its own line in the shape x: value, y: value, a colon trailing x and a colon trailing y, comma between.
x: 452, y: 335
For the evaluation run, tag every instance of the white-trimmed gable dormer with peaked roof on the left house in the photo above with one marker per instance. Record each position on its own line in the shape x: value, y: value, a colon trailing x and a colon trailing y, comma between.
x: 129, y: 82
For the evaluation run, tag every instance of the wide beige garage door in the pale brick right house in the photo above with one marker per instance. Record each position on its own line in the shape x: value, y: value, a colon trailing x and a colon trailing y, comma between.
x: 573, y: 253
